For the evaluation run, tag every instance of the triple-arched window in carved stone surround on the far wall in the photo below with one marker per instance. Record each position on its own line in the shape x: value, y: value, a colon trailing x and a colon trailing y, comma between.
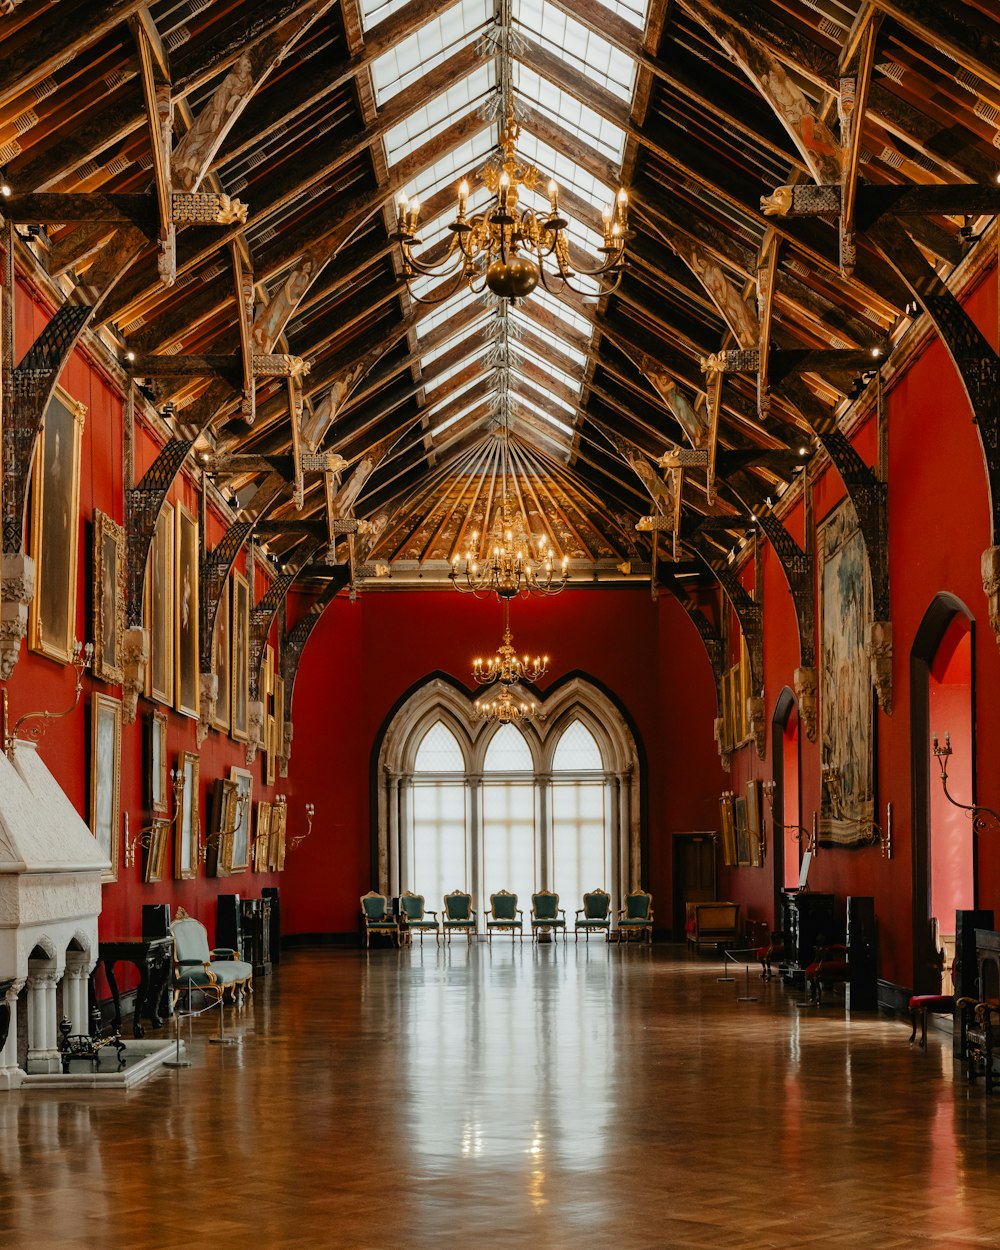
x: 468, y: 806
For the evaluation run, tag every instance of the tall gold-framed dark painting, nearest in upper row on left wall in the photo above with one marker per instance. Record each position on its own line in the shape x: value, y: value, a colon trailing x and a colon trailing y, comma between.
x: 56, y: 507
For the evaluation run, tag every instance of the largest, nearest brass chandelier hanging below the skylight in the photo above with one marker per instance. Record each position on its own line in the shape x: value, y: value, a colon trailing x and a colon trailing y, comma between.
x: 511, y: 248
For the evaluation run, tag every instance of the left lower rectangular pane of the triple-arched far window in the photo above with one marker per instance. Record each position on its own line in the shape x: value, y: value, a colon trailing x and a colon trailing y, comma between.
x: 438, y: 854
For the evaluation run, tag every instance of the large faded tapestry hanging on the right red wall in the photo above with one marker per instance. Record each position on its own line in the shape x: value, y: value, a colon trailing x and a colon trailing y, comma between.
x: 847, y: 698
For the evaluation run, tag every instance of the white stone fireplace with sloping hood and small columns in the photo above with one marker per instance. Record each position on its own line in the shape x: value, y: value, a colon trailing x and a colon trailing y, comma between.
x: 51, y: 898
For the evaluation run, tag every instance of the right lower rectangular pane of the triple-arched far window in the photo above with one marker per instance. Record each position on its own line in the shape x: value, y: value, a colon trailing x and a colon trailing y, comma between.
x: 581, y: 849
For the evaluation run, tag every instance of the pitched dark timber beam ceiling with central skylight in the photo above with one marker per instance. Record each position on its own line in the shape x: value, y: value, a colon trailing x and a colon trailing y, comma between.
x: 731, y: 99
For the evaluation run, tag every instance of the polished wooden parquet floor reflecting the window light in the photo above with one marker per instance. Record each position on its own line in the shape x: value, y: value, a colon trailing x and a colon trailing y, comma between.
x: 578, y: 1097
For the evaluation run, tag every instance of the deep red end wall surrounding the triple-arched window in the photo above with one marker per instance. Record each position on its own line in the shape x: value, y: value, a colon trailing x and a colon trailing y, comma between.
x: 366, y: 656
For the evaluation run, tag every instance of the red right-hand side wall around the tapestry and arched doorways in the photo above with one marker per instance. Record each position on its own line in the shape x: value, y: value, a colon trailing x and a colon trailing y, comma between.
x: 939, y: 527
